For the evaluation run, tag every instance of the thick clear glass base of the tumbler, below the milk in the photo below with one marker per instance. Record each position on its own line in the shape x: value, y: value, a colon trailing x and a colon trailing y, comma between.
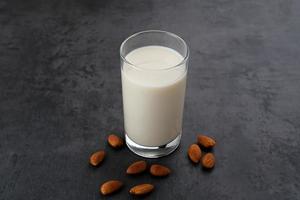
x: 152, y: 152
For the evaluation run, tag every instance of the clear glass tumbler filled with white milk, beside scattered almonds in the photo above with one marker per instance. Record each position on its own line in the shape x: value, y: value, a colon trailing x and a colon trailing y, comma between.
x: 154, y: 68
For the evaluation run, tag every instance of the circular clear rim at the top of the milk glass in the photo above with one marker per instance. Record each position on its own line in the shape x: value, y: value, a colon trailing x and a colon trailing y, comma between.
x: 185, y: 58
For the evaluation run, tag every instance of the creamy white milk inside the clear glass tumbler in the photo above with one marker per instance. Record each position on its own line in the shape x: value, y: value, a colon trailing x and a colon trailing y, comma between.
x: 153, y: 98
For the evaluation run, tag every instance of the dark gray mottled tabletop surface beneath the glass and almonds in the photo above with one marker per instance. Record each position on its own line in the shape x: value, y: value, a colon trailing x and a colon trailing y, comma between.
x: 60, y: 95
